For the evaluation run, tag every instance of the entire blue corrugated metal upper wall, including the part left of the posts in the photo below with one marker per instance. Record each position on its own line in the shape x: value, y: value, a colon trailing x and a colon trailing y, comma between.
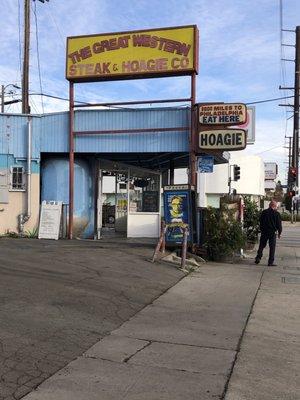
x: 50, y: 132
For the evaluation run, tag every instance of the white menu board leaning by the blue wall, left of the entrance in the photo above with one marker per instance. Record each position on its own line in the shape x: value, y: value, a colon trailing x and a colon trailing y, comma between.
x: 50, y: 220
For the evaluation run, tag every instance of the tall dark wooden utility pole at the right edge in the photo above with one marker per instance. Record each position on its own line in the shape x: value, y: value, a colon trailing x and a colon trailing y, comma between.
x: 295, y: 152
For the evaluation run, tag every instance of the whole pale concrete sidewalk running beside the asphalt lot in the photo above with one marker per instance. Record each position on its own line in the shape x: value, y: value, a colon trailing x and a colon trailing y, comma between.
x: 228, y: 332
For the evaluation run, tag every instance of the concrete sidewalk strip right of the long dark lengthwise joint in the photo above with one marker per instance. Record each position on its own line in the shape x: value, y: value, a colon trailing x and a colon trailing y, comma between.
x: 268, y: 363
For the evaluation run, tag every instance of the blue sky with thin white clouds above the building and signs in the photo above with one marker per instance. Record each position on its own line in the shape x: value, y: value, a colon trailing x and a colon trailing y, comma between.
x: 239, y: 55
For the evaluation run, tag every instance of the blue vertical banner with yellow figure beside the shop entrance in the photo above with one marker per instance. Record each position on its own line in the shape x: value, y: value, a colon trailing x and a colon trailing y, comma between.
x: 177, y: 213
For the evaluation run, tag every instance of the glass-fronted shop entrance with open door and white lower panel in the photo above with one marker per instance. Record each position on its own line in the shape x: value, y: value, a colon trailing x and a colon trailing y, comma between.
x: 128, y: 201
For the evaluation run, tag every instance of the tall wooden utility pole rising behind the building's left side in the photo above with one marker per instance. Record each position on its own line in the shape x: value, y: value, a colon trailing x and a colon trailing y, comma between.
x: 25, y: 76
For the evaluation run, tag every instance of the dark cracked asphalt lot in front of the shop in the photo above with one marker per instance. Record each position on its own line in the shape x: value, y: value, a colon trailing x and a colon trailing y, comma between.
x: 59, y: 298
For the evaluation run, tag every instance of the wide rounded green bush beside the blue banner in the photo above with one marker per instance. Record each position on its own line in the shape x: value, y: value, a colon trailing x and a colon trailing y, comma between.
x: 224, y: 235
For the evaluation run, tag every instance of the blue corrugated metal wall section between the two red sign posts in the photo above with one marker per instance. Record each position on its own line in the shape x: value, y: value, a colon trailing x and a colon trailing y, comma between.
x: 176, y: 141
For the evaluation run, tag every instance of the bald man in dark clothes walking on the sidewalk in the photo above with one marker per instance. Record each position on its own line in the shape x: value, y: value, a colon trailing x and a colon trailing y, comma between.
x: 270, y: 223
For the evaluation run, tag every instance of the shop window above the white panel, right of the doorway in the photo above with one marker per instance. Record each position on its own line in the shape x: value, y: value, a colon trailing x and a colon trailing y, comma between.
x: 144, y: 191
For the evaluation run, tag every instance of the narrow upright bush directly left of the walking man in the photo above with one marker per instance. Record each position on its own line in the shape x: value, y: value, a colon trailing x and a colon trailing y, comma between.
x: 251, y: 220
